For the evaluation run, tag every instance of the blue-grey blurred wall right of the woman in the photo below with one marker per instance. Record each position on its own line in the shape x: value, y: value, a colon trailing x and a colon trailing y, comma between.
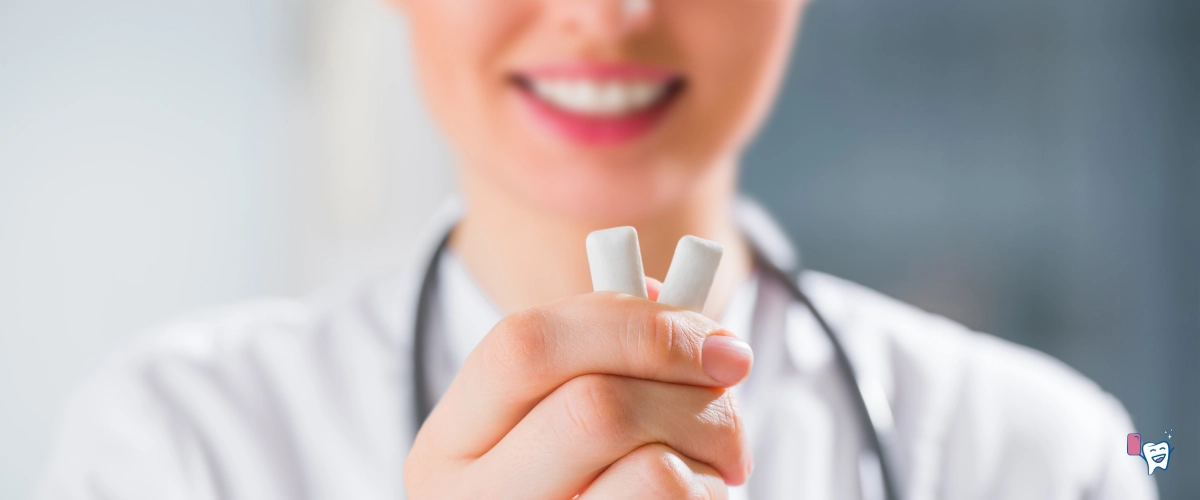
x: 1028, y: 168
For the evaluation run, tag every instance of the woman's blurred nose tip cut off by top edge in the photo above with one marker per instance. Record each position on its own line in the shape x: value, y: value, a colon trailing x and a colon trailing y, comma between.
x: 604, y: 20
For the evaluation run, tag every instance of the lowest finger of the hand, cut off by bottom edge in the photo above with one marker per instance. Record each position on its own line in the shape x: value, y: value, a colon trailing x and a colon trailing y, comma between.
x: 656, y: 472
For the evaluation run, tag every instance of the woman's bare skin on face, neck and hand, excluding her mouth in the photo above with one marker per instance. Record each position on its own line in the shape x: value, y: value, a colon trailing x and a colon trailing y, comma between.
x: 598, y: 395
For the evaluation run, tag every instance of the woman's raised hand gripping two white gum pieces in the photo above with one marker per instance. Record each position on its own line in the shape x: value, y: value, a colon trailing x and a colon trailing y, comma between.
x: 601, y: 395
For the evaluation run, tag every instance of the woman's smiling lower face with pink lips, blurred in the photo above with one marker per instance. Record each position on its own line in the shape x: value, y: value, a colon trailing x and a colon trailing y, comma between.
x: 603, y: 110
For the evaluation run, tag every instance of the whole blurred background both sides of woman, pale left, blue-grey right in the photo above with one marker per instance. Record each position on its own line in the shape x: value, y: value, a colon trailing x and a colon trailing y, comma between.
x: 1030, y: 168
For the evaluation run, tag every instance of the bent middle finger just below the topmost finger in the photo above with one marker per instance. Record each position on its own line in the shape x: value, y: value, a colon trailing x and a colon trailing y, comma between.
x: 595, y: 420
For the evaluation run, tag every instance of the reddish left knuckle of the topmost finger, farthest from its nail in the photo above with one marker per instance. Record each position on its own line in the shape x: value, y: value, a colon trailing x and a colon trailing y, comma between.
x: 520, y: 344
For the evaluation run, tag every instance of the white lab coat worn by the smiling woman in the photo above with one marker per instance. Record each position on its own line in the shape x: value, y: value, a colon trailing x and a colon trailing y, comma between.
x: 313, y: 400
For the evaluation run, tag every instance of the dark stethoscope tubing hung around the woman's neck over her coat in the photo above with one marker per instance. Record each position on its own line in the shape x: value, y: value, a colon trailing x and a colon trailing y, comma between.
x: 872, y: 402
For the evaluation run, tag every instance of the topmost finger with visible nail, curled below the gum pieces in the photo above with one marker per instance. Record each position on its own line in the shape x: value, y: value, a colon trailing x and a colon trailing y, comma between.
x: 532, y: 353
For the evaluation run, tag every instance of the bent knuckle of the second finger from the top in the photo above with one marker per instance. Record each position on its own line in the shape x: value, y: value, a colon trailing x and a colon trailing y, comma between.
x: 596, y: 411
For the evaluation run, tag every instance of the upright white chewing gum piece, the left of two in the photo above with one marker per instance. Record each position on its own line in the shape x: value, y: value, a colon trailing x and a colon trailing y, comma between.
x: 616, y: 262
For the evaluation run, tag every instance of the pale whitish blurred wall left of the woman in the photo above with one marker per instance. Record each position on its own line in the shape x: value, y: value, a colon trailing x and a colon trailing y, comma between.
x: 160, y: 158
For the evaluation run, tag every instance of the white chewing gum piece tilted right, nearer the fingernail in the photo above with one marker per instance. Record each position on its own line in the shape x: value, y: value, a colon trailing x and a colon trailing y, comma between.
x: 692, y: 274
